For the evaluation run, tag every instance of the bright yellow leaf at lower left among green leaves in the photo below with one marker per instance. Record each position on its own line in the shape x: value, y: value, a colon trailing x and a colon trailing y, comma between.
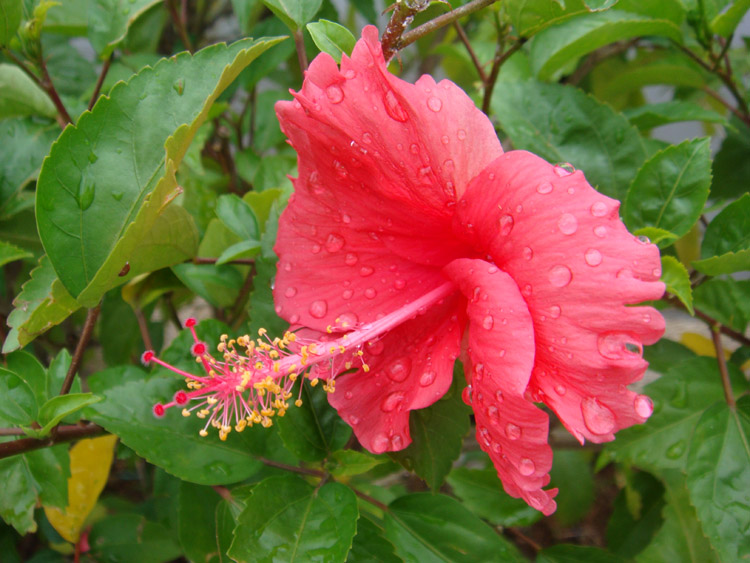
x: 90, y: 461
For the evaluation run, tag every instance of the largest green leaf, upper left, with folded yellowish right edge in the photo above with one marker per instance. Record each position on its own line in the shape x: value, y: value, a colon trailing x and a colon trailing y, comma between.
x: 100, y: 191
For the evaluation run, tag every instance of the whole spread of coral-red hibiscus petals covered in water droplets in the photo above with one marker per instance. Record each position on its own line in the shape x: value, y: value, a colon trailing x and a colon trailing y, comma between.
x: 413, y: 235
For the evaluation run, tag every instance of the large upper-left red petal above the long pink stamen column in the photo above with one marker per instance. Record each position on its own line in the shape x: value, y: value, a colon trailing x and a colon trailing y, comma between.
x: 379, y: 173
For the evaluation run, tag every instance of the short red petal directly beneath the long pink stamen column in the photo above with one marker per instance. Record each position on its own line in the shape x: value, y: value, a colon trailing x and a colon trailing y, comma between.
x: 410, y: 368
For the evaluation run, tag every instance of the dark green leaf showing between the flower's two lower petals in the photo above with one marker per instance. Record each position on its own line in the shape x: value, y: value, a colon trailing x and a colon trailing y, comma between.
x: 437, y: 434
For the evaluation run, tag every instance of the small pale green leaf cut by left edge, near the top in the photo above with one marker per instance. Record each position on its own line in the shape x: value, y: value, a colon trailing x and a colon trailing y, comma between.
x: 20, y: 96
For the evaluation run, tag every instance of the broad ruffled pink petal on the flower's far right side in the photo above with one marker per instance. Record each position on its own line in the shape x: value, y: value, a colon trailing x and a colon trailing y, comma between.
x: 578, y: 268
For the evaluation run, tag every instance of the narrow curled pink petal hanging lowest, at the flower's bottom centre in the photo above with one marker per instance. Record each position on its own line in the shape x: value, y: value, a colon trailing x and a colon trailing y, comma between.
x: 511, y: 429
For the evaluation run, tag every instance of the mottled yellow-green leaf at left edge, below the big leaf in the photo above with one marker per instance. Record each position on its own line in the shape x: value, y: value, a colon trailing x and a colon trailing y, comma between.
x: 42, y: 304
